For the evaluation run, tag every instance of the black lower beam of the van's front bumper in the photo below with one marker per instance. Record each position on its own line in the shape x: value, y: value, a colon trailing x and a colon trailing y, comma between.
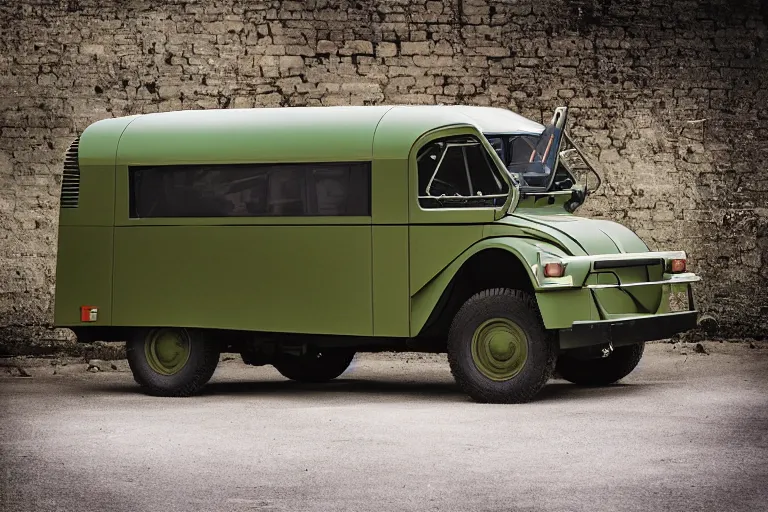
x: 626, y: 331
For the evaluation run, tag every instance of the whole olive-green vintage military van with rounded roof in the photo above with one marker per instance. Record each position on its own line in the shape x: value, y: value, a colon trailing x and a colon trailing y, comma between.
x: 298, y: 237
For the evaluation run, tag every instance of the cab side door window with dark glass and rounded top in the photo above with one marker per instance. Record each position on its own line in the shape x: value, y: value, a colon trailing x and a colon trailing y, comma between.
x: 458, y: 172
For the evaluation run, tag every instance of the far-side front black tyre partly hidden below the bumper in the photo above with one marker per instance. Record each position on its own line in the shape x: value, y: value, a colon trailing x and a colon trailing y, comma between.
x: 603, y: 371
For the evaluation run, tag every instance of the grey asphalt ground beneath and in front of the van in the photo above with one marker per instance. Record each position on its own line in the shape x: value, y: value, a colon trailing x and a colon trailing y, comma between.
x: 687, y: 431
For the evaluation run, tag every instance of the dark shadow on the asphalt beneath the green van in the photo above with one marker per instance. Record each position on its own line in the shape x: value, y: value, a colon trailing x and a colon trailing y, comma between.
x: 555, y: 390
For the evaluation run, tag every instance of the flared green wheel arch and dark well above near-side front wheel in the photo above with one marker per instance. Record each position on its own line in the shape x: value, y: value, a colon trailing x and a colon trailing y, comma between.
x: 489, y: 263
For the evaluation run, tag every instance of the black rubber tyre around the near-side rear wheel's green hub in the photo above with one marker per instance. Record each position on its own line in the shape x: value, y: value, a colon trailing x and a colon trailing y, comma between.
x: 189, y: 379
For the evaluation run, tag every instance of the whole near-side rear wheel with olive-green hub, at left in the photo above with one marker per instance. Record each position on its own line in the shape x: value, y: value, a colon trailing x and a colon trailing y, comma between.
x: 171, y: 361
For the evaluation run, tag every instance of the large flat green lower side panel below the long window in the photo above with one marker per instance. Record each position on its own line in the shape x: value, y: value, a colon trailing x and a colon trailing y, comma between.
x: 303, y: 279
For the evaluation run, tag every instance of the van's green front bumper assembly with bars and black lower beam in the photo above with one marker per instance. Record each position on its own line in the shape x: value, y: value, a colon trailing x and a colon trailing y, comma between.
x: 596, y: 325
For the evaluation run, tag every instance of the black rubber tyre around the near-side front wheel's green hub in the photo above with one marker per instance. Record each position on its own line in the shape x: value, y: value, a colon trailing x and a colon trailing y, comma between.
x: 515, y: 306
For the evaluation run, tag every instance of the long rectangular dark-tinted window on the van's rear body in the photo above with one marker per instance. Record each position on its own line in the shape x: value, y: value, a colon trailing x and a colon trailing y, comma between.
x: 251, y: 190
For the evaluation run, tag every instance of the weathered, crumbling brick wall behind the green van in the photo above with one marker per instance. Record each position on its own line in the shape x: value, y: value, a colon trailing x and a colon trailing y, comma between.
x: 670, y: 97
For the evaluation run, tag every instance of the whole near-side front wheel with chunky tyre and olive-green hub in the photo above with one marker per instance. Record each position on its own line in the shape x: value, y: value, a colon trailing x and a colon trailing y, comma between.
x: 498, y: 349
